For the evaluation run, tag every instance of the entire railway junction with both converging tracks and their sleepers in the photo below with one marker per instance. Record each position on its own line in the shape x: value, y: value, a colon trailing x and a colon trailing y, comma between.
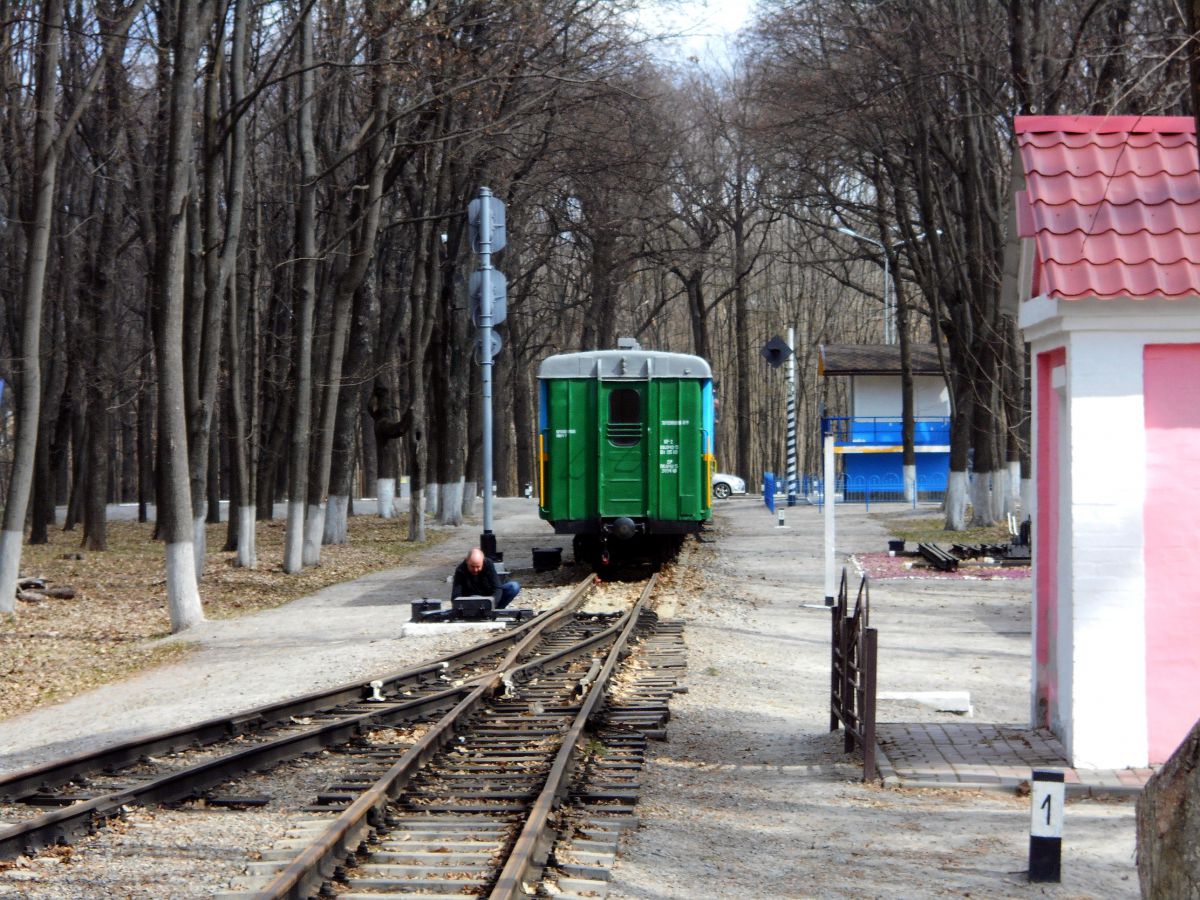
x: 463, y: 767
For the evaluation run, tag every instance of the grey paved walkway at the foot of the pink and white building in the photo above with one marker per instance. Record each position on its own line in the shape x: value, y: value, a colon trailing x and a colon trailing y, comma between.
x: 988, y: 757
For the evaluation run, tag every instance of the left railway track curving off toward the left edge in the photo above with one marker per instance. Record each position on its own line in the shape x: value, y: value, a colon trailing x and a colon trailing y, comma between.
x: 83, y: 790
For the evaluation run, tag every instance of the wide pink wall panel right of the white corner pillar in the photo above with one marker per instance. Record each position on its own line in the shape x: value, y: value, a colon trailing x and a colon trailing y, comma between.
x: 1173, y: 541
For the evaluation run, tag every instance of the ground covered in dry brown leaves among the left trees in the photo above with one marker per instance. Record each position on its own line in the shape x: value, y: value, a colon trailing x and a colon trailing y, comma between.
x: 55, y: 650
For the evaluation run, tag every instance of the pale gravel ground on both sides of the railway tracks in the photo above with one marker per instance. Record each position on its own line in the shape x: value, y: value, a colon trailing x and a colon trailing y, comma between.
x: 752, y: 796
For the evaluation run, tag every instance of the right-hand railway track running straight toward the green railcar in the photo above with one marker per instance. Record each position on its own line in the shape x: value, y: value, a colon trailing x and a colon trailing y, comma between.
x: 469, y: 809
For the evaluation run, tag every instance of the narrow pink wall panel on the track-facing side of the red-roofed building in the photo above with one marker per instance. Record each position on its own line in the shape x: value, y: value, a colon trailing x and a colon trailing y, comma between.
x: 1047, y: 537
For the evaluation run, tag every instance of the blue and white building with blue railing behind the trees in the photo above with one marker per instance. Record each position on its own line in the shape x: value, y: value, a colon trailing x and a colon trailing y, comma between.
x: 869, y: 435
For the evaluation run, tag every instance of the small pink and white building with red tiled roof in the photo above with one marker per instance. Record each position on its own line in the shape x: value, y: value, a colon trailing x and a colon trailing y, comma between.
x: 1109, y: 283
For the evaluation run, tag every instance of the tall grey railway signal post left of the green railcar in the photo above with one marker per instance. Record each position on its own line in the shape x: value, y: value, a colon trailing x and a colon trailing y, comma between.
x: 489, y: 293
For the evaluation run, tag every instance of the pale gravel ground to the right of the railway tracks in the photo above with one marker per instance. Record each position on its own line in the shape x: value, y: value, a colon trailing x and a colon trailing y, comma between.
x: 753, y: 797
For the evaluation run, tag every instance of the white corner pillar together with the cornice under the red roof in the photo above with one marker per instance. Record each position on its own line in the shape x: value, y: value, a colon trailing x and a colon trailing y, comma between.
x: 1102, y: 617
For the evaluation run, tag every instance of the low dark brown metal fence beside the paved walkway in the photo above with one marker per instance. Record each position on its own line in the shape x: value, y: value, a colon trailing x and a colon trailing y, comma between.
x: 855, y: 655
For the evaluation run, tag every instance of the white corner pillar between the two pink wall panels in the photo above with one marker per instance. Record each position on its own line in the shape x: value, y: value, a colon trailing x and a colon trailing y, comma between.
x: 1106, y: 578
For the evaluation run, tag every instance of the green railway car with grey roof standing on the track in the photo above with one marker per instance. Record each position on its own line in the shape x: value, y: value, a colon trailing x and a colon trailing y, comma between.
x: 626, y: 451
